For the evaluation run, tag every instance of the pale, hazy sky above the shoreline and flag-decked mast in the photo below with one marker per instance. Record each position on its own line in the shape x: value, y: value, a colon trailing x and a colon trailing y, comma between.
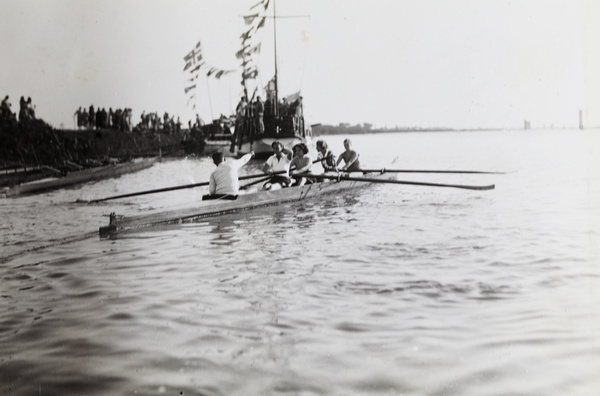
x: 407, y: 63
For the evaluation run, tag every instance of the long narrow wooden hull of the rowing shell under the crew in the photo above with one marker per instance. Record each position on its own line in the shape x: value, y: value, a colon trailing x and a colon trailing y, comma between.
x: 210, y: 208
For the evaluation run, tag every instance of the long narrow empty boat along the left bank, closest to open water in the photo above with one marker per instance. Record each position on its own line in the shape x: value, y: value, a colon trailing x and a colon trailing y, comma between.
x: 77, y: 177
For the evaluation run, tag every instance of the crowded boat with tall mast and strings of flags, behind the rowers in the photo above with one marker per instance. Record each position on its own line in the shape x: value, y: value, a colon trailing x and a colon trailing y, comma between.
x: 263, y: 115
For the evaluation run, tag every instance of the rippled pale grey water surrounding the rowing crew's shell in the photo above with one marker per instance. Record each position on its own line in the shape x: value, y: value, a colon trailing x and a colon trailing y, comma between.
x: 395, y: 290
